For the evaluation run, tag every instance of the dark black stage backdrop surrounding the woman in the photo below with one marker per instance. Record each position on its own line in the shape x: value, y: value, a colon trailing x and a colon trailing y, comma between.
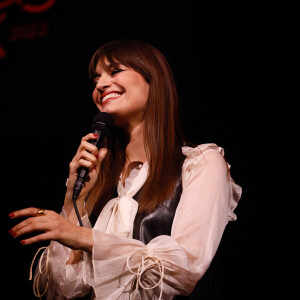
x: 236, y: 69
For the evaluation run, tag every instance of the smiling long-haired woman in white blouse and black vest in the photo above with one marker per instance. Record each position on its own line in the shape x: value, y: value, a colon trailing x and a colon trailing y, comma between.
x: 153, y: 210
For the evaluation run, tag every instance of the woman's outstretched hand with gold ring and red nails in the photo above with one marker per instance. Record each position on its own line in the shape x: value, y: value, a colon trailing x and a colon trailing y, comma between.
x: 51, y: 226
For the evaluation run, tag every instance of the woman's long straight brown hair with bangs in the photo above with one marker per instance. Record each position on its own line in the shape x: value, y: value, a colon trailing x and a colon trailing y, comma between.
x: 162, y: 136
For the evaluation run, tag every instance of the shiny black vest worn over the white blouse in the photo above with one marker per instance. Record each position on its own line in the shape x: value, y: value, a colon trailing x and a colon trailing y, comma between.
x: 147, y: 226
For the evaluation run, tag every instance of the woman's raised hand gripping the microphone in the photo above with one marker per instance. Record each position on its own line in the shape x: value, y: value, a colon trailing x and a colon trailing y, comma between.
x: 87, y: 156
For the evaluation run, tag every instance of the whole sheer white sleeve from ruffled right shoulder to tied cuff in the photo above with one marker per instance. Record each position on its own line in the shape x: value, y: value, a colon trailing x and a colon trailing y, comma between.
x: 171, y: 265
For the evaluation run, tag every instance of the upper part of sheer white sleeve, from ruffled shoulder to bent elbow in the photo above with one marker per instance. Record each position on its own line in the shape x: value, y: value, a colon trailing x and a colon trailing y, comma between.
x: 207, y: 203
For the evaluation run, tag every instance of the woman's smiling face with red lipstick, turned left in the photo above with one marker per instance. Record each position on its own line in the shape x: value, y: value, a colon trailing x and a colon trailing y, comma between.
x: 121, y: 92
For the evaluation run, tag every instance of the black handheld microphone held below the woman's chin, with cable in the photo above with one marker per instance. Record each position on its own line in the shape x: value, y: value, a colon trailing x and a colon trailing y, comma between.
x: 102, y: 126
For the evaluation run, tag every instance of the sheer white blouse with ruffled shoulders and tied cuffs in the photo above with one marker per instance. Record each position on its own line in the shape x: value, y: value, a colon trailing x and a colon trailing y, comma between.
x: 121, y: 267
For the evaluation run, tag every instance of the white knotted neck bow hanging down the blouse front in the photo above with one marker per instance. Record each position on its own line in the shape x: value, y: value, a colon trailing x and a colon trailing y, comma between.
x: 118, y: 215
